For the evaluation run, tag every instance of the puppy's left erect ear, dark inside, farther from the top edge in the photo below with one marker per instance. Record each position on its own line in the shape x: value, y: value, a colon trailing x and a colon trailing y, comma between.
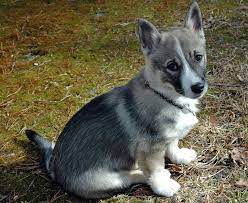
x: 148, y: 35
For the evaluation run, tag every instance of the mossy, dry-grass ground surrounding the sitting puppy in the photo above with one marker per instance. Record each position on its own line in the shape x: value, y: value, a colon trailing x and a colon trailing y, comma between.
x: 57, y: 55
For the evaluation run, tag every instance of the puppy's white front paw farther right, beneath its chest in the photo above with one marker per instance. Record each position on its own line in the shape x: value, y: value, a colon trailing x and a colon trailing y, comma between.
x: 183, y: 156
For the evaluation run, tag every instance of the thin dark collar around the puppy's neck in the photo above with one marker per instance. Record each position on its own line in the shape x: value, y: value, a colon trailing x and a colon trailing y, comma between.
x: 183, y: 108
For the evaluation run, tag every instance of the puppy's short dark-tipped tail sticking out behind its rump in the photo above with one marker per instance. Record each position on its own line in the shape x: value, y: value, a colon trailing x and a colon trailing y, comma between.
x: 45, y: 146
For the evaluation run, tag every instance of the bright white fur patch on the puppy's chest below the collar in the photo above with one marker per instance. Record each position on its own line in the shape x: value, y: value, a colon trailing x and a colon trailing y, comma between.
x: 183, y: 123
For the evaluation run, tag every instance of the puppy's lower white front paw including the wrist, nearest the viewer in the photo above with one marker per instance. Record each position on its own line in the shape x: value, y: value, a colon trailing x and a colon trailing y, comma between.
x: 163, y: 185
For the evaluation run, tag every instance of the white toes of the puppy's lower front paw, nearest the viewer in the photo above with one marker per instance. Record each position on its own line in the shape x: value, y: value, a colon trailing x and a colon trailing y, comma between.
x: 167, y: 187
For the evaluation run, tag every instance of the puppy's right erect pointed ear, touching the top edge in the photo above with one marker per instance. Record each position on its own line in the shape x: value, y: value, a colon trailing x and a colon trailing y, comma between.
x: 193, y: 19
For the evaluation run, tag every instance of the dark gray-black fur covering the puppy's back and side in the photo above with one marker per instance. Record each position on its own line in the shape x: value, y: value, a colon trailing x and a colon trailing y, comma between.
x: 84, y: 127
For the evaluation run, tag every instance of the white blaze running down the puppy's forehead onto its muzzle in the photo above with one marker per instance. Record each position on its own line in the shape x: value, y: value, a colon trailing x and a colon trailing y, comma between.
x: 188, y: 75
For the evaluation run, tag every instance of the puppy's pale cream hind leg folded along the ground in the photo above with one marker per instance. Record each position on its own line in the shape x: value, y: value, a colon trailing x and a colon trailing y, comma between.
x: 101, y: 184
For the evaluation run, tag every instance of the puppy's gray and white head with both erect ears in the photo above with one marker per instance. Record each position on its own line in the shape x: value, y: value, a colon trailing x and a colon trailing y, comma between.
x: 176, y: 58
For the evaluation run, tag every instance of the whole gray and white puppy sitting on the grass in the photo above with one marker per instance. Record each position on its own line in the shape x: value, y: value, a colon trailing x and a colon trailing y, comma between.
x: 121, y: 137
